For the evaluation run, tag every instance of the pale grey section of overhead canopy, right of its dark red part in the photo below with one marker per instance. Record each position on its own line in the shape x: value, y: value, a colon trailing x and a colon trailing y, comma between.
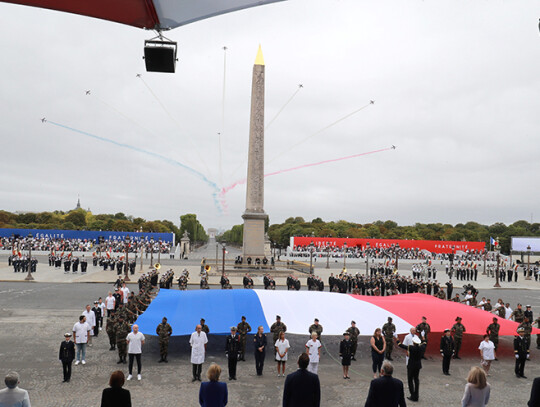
x: 174, y: 13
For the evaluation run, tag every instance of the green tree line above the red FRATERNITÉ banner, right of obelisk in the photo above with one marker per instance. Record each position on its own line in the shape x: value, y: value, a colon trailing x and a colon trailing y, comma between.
x: 280, y: 233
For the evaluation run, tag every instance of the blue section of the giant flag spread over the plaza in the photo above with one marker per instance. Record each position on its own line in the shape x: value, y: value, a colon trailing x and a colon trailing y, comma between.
x: 220, y: 308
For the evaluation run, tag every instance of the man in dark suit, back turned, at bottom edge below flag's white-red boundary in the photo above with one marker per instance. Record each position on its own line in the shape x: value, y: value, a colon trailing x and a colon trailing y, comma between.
x: 385, y: 390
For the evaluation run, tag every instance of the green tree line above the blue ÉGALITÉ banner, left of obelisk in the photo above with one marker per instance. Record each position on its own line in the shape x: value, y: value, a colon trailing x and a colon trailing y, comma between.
x: 79, y: 219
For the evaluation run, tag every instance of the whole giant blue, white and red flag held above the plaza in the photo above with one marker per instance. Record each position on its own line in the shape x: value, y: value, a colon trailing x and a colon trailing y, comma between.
x: 224, y: 308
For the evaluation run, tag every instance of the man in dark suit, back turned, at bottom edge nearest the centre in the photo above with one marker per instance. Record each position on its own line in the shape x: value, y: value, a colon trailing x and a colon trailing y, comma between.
x: 302, y: 388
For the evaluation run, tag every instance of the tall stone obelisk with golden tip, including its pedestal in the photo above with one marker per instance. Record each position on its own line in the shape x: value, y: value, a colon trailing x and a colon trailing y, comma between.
x: 254, y: 216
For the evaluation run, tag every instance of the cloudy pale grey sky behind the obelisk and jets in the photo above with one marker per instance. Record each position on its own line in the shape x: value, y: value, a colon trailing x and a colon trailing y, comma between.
x: 456, y: 85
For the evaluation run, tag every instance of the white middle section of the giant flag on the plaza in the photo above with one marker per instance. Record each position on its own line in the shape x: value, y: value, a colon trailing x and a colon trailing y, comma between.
x: 335, y: 312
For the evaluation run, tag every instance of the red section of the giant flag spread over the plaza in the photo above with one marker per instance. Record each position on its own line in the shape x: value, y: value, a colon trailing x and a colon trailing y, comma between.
x: 440, y: 314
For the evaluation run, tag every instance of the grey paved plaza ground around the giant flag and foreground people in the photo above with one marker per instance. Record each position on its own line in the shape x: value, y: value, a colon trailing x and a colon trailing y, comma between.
x: 34, y: 317
